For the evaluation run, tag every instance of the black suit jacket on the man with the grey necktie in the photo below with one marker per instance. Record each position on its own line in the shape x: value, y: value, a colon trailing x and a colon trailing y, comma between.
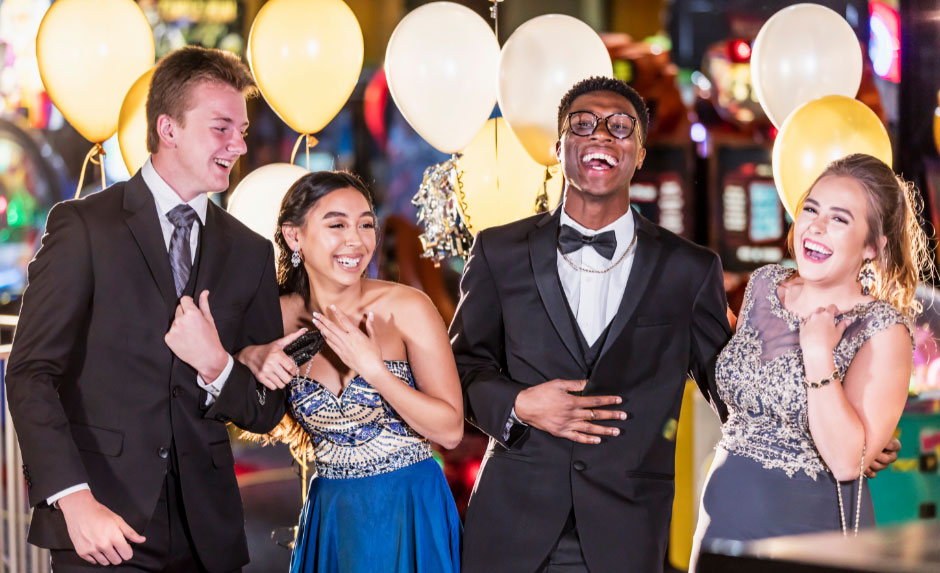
x: 95, y: 393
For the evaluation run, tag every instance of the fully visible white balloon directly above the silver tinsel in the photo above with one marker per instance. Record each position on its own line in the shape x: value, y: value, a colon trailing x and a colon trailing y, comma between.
x: 441, y: 67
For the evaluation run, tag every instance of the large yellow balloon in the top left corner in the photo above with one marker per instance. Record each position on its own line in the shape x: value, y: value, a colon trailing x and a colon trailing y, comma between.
x: 89, y: 53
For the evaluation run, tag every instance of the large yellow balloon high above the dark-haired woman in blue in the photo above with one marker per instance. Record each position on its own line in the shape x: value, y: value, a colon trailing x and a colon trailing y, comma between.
x: 306, y: 56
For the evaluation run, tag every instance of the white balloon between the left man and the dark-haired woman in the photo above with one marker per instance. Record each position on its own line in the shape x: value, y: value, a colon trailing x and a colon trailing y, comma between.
x: 256, y: 201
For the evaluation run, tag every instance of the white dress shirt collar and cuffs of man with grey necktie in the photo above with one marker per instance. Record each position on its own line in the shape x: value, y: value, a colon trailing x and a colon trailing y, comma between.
x: 166, y: 199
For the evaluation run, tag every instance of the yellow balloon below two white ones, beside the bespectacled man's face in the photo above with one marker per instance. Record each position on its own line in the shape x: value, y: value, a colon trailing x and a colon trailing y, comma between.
x: 500, y: 179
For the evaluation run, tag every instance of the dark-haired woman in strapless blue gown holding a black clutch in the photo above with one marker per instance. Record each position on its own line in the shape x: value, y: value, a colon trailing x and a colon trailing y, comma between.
x: 366, y: 408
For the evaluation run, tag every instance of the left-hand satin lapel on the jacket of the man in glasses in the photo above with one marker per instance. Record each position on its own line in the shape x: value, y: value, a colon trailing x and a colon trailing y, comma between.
x: 542, y: 248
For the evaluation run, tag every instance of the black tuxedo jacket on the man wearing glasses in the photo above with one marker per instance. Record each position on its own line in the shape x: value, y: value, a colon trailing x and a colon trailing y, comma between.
x: 512, y: 331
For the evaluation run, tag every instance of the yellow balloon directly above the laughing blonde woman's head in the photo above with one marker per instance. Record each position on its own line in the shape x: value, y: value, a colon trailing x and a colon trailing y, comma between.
x: 819, y: 132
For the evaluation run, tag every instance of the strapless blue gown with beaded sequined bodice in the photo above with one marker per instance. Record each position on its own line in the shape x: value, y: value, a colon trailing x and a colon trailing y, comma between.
x: 378, y: 501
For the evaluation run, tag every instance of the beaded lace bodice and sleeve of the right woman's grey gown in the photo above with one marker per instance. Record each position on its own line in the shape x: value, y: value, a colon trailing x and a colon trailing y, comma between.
x: 760, y: 375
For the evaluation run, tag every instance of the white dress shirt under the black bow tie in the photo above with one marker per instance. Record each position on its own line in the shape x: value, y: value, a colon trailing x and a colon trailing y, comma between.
x: 595, y: 297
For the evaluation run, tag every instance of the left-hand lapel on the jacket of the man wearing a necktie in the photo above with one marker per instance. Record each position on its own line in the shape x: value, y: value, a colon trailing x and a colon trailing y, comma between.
x: 145, y: 226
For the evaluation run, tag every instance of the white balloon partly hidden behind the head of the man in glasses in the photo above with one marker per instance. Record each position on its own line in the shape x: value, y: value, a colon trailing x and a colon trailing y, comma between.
x: 539, y: 63
